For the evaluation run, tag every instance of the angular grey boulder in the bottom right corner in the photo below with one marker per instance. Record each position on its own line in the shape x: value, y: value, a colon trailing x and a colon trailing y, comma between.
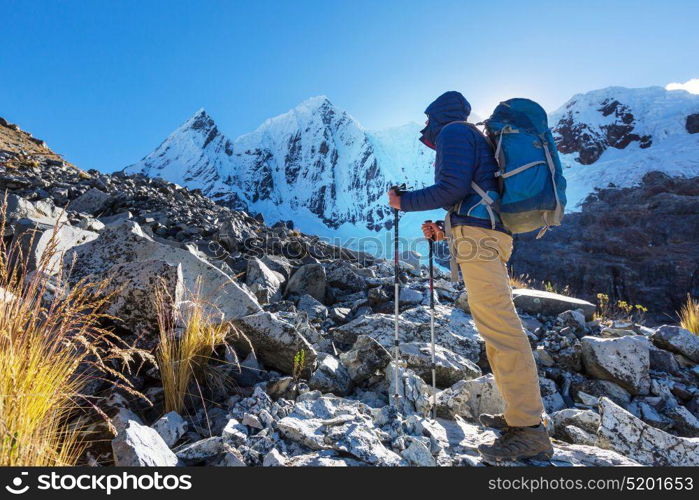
x: 620, y: 431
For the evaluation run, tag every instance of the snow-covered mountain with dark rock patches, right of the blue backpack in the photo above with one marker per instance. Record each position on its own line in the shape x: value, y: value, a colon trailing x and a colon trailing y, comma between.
x: 614, y: 136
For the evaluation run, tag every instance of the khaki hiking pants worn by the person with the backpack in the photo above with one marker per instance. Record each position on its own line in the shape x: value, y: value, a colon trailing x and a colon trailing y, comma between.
x: 482, y: 255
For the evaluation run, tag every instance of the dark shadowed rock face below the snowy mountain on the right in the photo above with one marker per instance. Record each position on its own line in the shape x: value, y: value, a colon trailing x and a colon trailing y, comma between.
x: 638, y: 244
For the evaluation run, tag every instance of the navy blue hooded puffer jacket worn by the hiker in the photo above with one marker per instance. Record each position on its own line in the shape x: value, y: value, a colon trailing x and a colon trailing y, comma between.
x: 463, y: 155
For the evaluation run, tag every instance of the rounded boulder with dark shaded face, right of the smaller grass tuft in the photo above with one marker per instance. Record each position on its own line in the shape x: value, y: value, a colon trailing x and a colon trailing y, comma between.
x: 275, y: 342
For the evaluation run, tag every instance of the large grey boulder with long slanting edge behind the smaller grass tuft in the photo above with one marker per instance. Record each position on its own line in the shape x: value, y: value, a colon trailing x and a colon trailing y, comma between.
x: 126, y: 243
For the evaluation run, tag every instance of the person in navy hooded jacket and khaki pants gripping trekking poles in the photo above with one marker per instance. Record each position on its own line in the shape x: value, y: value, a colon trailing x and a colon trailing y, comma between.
x: 481, y: 246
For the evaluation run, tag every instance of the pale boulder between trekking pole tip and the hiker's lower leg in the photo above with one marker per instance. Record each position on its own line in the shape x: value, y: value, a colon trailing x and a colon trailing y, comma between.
x: 470, y: 398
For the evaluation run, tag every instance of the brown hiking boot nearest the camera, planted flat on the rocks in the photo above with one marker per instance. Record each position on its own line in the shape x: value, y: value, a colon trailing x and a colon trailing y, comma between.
x: 517, y: 443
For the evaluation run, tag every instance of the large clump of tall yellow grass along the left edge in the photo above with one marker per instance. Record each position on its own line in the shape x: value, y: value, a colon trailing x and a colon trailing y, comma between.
x: 43, y: 350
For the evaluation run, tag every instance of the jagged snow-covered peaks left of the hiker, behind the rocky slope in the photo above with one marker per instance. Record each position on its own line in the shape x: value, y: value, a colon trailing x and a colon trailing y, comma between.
x: 314, y: 165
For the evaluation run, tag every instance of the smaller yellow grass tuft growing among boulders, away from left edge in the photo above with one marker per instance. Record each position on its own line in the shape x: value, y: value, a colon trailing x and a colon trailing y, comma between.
x: 189, y: 335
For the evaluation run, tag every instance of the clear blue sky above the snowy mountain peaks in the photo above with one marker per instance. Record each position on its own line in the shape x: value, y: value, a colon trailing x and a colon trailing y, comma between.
x: 103, y: 82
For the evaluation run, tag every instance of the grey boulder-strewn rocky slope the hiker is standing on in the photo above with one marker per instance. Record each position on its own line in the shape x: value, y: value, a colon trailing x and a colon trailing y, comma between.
x: 615, y: 393
